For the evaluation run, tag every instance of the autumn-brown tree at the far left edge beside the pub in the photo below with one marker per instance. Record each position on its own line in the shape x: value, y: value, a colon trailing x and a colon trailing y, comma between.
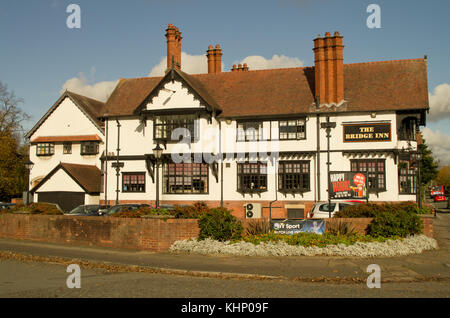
x: 13, y: 154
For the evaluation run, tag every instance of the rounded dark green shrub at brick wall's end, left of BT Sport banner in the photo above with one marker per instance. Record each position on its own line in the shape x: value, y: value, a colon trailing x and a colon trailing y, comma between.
x: 219, y: 224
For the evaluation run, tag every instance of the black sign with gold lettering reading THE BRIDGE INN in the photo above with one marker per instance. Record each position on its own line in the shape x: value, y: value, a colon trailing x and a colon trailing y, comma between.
x: 367, y: 132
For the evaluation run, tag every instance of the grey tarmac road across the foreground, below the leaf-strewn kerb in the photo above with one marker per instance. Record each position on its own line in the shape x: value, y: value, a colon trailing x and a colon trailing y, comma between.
x: 32, y: 279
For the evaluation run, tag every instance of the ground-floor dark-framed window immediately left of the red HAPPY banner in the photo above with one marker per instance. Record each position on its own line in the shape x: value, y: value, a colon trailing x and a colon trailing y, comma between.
x: 302, y: 176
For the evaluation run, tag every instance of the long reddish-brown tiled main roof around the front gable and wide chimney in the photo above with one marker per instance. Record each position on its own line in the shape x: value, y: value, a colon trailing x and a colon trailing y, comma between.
x: 374, y: 86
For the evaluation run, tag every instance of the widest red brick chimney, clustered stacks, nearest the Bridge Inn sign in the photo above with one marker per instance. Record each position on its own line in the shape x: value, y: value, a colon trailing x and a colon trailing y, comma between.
x: 329, y: 68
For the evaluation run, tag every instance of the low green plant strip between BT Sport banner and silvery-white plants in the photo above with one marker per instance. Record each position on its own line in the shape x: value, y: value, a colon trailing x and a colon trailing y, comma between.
x: 312, y: 239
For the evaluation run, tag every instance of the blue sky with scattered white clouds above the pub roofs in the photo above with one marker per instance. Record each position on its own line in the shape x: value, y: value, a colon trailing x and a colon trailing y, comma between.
x: 40, y: 55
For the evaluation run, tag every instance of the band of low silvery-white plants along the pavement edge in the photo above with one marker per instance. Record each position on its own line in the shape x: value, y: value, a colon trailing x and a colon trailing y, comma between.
x: 407, y: 246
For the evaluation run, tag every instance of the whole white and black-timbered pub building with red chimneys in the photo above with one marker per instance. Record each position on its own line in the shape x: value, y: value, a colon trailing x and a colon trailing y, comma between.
x: 257, y: 140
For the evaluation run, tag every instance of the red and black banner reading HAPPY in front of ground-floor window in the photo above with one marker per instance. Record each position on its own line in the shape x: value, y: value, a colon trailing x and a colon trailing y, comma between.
x: 347, y: 185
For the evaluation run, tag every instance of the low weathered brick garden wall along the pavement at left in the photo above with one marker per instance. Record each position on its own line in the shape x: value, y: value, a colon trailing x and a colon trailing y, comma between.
x: 153, y: 235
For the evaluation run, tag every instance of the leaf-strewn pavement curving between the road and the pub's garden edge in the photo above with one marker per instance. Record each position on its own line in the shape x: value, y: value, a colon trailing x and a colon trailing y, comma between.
x: 430, y: 266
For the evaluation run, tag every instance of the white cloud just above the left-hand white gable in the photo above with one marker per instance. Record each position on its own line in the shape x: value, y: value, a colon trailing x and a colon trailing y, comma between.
x: 80, y: 85
